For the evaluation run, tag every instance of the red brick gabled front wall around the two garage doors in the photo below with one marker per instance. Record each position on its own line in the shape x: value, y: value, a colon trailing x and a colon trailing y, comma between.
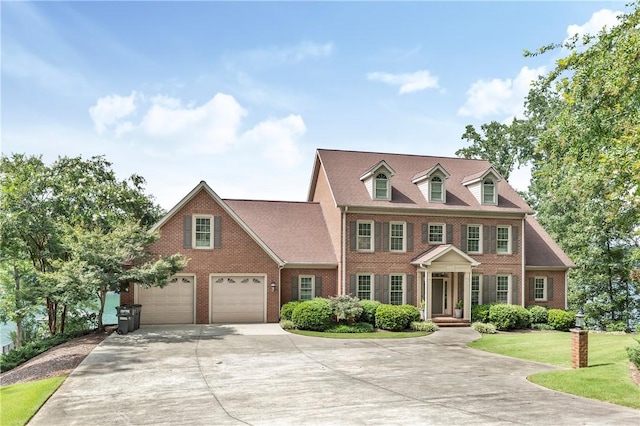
x: 239, y: 254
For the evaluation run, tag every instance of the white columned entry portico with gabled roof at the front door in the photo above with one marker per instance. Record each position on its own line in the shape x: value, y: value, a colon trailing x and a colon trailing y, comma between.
x: 440, y: 268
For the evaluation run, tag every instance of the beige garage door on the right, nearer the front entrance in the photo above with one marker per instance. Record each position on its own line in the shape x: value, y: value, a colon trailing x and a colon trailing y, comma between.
x: 237, y: 299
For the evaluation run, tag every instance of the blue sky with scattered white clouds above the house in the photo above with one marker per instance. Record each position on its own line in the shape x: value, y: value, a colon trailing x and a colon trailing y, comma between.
x: 242, y: 94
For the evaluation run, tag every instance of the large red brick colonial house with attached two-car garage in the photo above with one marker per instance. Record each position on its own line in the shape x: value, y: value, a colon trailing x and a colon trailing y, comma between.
x: 388, y: 227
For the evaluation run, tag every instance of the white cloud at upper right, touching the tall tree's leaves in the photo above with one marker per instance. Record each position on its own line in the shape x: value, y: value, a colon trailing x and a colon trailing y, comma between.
x: 499, y: 97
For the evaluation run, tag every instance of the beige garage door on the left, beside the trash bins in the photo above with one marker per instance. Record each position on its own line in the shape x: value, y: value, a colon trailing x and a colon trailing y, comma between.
x: 172, y: 304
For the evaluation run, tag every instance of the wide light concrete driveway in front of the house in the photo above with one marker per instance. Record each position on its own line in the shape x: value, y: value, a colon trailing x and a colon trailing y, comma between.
x: 259, y: 374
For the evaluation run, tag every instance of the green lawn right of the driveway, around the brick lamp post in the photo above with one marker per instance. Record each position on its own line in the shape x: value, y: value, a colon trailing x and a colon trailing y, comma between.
x: 607, y: 378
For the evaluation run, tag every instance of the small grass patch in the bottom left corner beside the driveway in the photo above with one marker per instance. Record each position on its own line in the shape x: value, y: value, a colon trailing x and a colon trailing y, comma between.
x: 21, y: 401
